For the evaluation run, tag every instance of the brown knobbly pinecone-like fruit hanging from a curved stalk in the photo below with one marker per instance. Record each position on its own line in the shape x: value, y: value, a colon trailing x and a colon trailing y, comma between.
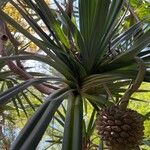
x: 120, y: 129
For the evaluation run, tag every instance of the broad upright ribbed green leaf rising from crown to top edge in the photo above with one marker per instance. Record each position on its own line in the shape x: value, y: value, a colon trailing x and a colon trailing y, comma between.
x: 92, y: 26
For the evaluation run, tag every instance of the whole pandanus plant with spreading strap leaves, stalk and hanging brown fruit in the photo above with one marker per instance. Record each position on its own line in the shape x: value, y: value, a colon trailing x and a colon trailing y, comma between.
x: 94, y: 59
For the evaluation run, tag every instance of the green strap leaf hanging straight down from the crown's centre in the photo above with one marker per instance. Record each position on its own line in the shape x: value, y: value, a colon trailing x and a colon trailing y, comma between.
x: 72, y: 139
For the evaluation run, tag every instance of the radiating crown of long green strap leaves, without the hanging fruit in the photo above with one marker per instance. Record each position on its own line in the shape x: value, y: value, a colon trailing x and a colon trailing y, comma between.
x: 95, y: 59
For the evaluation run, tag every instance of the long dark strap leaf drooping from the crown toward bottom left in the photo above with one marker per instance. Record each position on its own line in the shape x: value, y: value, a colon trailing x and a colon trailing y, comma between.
x: 36, y: 126
